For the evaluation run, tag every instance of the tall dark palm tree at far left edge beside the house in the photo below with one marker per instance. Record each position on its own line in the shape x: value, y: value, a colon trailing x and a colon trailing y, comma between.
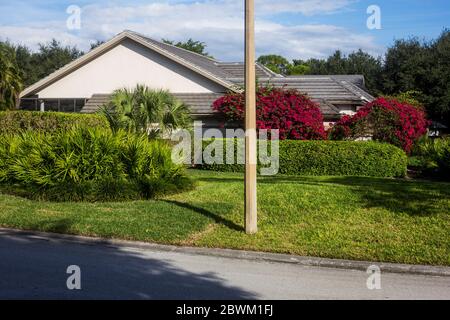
x: 10, y: 79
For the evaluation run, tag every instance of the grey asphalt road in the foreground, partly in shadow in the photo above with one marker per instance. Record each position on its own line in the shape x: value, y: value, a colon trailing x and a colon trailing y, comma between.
x: 36, y: 269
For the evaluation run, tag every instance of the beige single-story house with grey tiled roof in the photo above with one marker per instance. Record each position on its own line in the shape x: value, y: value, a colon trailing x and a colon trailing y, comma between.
x: 131, y: 58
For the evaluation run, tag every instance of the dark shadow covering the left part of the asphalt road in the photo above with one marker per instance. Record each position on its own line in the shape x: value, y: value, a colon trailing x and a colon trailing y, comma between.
x: 36, y: 269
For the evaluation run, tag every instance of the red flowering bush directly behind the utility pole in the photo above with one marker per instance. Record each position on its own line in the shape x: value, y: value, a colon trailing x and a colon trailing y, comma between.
x: 292, y: 113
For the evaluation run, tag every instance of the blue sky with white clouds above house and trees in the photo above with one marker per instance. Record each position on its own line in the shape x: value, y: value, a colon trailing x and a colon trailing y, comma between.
x: 293, y: 28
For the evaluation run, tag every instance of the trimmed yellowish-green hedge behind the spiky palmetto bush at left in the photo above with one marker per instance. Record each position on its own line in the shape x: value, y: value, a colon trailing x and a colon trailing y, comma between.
x: 13, y: 121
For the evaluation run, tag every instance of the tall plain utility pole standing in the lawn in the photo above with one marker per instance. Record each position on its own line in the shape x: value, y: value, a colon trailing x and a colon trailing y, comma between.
x: 251, y: 226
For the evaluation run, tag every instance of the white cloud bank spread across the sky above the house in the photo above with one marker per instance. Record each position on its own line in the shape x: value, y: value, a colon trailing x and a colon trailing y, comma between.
x: 219, y: 23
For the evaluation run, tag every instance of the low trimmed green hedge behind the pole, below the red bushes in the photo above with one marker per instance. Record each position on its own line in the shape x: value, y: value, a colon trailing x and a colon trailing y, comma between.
x: 332, y: 158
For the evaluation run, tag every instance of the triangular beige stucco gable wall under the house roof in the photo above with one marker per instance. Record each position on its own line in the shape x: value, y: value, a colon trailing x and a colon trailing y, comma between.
x: 127, y: 65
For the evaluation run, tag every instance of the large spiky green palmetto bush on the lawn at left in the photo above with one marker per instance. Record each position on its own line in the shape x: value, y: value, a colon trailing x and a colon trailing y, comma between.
x: 89, y: 164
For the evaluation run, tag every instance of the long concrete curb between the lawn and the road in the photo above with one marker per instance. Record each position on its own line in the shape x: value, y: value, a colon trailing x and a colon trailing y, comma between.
x: 238, y: 254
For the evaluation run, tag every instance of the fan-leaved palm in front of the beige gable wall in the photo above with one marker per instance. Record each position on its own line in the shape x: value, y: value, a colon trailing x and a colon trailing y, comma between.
x: 146, y: 110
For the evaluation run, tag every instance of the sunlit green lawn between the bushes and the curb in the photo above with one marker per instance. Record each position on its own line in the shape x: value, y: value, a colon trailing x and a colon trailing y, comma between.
x: 338, y: 217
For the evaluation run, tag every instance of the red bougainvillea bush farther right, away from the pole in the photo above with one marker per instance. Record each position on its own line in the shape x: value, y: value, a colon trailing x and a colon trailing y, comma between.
x: 386, y: 120
